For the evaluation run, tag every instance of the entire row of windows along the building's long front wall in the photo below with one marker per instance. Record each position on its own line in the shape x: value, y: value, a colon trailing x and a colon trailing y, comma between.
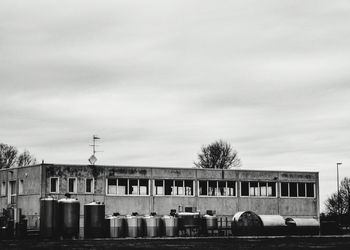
x: 124, y: 186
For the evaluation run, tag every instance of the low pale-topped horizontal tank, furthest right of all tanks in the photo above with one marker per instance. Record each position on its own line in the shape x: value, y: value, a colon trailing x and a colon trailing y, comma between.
x: 303, y: 226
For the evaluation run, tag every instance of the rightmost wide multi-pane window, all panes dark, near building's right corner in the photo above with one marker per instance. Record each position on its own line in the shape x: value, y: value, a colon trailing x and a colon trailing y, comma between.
x: 297, y: 189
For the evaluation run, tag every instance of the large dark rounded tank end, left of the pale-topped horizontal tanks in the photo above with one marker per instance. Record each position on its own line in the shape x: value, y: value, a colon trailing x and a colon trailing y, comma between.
x: 246, y: 223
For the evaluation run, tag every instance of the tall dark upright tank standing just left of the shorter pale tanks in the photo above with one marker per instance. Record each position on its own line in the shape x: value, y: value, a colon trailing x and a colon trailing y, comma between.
x: 94, y: 214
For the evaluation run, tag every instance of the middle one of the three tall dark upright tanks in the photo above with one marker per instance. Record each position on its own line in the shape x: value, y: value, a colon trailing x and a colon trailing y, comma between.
x: 69, y: 215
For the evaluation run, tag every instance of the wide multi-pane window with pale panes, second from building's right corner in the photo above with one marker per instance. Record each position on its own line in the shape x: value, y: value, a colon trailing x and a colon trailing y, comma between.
x: 258, y: 188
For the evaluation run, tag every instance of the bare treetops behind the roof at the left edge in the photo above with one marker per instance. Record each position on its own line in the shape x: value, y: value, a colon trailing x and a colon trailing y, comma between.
x: 9, y: 157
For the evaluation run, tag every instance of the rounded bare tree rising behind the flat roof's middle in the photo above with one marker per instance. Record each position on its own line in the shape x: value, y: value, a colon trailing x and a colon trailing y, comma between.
x: 218, y: 154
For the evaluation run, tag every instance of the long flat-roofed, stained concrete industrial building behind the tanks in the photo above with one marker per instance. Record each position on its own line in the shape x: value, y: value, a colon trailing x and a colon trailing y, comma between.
x: 147, y: 189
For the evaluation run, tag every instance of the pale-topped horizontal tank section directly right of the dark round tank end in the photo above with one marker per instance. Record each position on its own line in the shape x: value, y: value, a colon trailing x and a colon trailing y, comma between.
x: 273, y: 225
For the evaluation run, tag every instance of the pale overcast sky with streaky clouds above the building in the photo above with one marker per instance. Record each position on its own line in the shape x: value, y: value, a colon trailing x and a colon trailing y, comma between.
x: 156, y: 80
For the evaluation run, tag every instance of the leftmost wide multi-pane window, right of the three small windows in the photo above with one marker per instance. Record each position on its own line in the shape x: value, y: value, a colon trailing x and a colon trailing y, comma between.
x: 127, y: 187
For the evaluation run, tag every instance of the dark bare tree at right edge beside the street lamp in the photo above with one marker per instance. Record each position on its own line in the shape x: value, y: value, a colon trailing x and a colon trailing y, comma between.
x: 339, y: 204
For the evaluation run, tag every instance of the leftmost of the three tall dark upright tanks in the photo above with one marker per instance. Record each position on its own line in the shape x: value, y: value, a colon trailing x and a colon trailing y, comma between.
x: 48, y: 217
